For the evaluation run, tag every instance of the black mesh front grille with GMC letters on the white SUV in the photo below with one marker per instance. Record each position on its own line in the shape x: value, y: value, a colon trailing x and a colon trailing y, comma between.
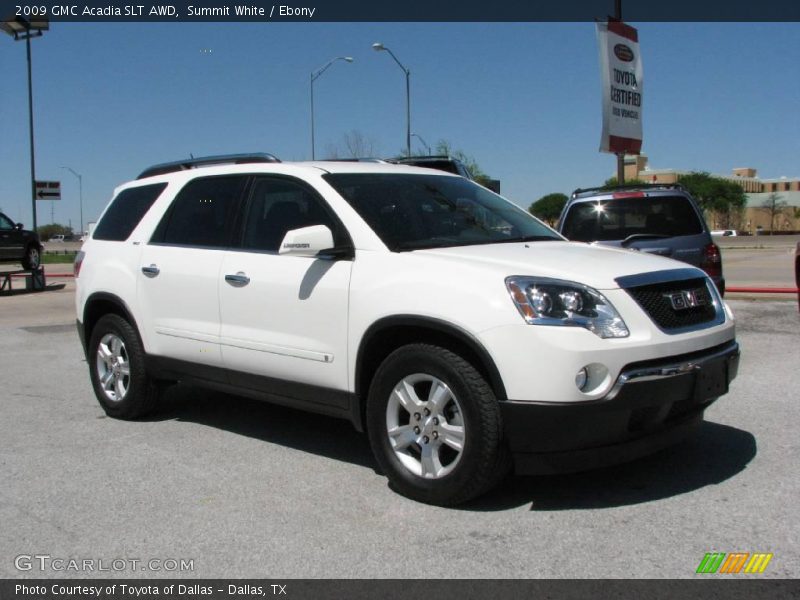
x: 676, y: 304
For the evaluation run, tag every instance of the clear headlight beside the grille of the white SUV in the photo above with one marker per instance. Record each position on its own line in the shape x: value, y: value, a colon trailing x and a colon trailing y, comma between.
x: 543, y: 301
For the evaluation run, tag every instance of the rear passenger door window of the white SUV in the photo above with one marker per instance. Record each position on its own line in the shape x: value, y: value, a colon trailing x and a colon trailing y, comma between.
x: 202, y: 213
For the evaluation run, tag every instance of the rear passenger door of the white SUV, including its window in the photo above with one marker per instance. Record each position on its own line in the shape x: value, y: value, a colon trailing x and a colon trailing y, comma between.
x: 178, y: 288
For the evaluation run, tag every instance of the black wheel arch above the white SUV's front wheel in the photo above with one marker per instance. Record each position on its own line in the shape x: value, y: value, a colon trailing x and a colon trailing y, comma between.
x: 390, y: 333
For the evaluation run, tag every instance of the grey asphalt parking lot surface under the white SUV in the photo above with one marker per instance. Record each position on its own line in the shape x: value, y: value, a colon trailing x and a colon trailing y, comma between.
x: 244, y: 489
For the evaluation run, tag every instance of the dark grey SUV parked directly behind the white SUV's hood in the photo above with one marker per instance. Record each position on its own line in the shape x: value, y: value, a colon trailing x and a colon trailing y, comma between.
x: 657, y: 218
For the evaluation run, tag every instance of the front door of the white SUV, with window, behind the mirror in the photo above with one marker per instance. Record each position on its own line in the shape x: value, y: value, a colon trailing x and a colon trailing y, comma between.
x: 284, y: 317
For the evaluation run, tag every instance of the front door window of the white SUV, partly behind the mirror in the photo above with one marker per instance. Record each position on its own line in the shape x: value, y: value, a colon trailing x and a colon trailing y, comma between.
x: 278, y: 206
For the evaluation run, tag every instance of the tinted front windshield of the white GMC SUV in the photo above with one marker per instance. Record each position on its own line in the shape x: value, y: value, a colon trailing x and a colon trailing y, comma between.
x: 410, y: 212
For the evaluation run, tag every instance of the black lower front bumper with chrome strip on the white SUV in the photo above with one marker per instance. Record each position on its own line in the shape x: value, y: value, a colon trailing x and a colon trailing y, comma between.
x: 652, y: 405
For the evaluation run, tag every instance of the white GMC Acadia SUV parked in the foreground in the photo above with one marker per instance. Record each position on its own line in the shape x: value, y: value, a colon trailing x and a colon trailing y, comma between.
x: 461, y: 333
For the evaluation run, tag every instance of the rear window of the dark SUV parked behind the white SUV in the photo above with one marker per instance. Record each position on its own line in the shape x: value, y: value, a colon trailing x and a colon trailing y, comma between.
x: 618, y: 218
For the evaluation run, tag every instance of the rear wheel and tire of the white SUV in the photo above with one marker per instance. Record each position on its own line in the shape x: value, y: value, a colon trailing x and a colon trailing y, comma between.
x: 117, y: 369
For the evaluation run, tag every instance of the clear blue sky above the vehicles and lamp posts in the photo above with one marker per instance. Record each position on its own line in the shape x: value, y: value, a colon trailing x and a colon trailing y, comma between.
x: 522, y: 98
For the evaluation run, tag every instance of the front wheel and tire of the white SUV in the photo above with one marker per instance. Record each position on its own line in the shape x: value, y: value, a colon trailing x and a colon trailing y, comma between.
x: 435, y: 427
